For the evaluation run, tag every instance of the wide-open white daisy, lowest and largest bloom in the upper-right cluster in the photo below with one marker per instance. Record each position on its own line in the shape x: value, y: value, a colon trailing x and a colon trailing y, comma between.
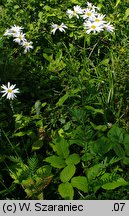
x: 93, y: 27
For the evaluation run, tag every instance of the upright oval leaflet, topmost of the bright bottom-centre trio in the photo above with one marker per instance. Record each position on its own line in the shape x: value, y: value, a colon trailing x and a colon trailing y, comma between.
x: 67, y: 173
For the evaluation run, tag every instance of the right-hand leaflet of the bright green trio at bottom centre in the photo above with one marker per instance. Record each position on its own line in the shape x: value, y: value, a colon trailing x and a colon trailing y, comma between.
x: 80, y: 183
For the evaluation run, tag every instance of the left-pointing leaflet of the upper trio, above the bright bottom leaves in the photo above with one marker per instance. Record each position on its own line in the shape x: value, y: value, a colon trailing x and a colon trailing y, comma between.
x: 56, y: 161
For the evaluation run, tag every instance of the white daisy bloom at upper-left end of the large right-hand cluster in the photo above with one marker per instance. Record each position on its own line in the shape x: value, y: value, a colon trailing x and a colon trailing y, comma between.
x: 76, y: 11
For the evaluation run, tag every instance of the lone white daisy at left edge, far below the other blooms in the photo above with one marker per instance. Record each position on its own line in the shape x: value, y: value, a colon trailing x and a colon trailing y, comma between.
x: 9, y: 91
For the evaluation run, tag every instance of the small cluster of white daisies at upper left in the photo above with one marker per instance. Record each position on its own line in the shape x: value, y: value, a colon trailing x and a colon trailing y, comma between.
x: 19, y: 37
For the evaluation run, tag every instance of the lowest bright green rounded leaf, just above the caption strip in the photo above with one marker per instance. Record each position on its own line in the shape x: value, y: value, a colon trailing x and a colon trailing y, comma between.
x: 66, y: 190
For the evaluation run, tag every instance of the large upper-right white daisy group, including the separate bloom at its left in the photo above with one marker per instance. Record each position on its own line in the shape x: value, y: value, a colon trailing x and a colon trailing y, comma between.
x: 93, y: 21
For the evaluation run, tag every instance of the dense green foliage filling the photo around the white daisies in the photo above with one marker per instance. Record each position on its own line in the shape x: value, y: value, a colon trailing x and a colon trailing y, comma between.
x: 66, y: 134
